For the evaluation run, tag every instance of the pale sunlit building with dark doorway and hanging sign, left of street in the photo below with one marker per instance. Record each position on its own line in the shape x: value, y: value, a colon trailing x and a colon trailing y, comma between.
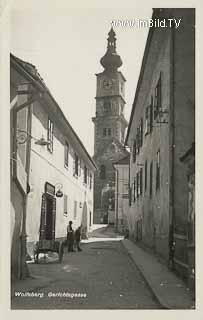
x: 60, y: 172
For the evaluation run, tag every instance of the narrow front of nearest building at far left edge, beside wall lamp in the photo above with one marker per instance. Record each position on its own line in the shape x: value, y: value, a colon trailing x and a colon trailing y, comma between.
x: 19, y: 167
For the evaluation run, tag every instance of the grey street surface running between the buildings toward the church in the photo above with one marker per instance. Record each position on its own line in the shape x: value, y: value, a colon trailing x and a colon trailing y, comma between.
x: 103, y: 271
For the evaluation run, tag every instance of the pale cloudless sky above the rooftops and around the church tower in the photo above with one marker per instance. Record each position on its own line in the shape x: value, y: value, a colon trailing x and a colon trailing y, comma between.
x: 66, y: 42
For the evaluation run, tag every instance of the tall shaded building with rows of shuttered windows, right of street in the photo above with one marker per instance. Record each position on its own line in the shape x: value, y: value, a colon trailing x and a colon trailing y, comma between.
x: 161, y: 128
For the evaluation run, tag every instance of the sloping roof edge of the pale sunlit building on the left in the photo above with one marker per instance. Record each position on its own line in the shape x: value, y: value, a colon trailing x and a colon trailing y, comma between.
x: 30, y: 72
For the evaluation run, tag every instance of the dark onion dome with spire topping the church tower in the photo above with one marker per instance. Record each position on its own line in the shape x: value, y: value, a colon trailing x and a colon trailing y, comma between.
x: 111, y: 60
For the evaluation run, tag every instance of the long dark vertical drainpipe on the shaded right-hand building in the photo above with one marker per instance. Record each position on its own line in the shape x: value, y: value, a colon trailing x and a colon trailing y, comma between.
x: 172, y: 155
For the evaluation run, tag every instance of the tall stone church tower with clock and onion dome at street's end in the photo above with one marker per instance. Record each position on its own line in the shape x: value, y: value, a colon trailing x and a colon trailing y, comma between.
x: 109, y: 131
